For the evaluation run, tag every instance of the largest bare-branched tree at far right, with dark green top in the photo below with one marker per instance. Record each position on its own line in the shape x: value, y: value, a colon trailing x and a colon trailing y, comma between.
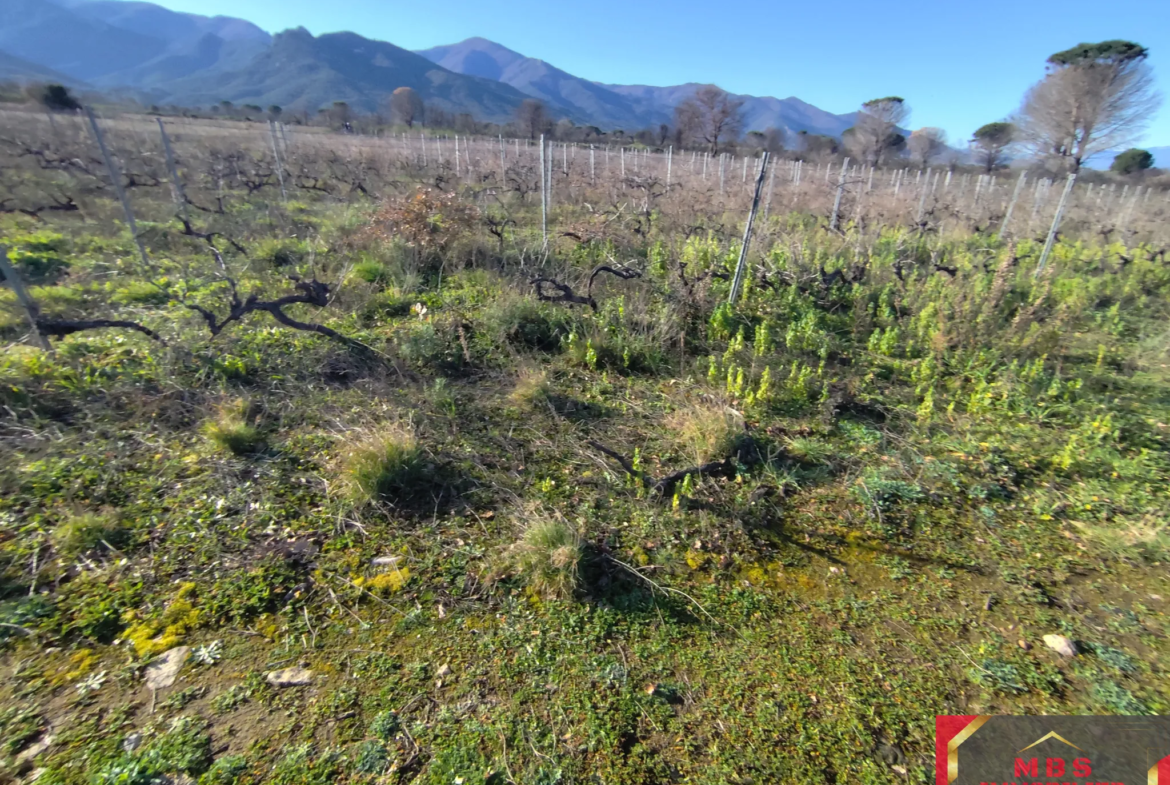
x: 1095, y: 98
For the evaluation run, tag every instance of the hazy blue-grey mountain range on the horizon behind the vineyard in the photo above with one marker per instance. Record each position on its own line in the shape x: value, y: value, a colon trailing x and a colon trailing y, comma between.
x: 161, y: 57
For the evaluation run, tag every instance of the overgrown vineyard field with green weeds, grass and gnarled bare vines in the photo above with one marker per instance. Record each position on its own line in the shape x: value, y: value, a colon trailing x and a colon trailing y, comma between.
x: 373, y: 483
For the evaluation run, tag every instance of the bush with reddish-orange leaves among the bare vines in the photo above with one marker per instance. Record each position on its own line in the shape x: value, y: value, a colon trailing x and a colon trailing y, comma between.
x: 430, y: 222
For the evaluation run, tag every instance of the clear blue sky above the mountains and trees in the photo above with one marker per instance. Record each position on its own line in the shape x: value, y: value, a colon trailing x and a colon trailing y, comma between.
x: 959, y: 65
